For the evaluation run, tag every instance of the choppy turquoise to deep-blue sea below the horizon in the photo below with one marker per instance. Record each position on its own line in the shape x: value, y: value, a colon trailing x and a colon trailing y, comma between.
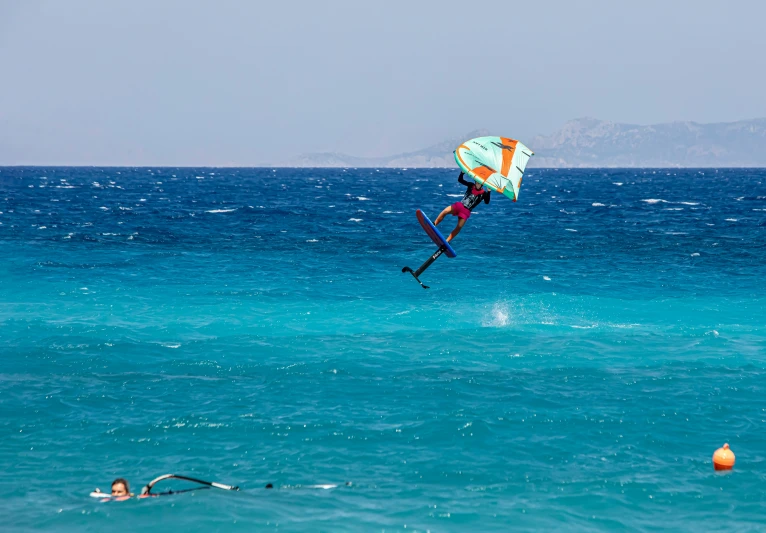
x: 573, y: 368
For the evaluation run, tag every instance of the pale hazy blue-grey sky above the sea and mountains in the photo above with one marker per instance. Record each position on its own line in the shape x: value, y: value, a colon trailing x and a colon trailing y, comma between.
x: 183, y: 82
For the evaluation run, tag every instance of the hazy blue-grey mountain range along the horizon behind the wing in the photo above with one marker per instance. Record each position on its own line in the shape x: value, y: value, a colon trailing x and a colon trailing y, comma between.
x: 589, y: 142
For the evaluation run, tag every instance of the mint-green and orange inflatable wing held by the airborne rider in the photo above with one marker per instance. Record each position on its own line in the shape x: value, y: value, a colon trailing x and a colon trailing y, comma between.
x: 497, y: 162
